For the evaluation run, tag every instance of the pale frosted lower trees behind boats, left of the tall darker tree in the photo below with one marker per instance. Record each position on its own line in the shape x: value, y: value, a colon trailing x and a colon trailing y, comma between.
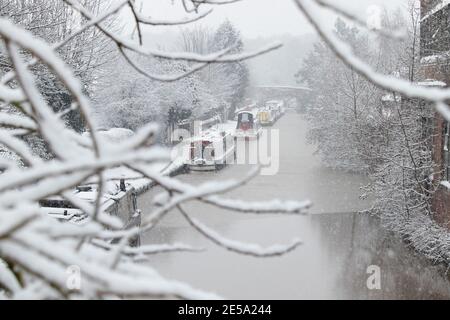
x: 126, y: 98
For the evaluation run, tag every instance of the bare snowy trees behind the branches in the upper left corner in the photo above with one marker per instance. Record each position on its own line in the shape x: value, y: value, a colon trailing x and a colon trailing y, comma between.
x: 54, y: 21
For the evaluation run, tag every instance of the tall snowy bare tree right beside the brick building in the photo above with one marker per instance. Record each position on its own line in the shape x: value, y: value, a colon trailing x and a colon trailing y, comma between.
x: 403, y: 182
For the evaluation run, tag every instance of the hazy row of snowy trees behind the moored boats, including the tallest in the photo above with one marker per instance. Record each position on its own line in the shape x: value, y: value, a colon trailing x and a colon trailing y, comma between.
x: 128, y: 99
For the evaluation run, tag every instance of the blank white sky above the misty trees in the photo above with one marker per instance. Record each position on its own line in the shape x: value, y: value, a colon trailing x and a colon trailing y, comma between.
x: 259, y: 18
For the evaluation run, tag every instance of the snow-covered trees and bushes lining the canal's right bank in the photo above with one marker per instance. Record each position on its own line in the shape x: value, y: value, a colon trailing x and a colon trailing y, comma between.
x: 360, y: 126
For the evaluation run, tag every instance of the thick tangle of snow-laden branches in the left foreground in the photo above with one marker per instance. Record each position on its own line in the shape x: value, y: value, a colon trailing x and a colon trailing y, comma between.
x: 36, y: 250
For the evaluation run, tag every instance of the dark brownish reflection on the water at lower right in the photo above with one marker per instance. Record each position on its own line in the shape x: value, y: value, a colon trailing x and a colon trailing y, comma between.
x: 354, y: 242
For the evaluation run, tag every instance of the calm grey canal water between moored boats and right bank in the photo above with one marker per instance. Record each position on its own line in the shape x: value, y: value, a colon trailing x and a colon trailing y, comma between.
x: 345, y: 255
